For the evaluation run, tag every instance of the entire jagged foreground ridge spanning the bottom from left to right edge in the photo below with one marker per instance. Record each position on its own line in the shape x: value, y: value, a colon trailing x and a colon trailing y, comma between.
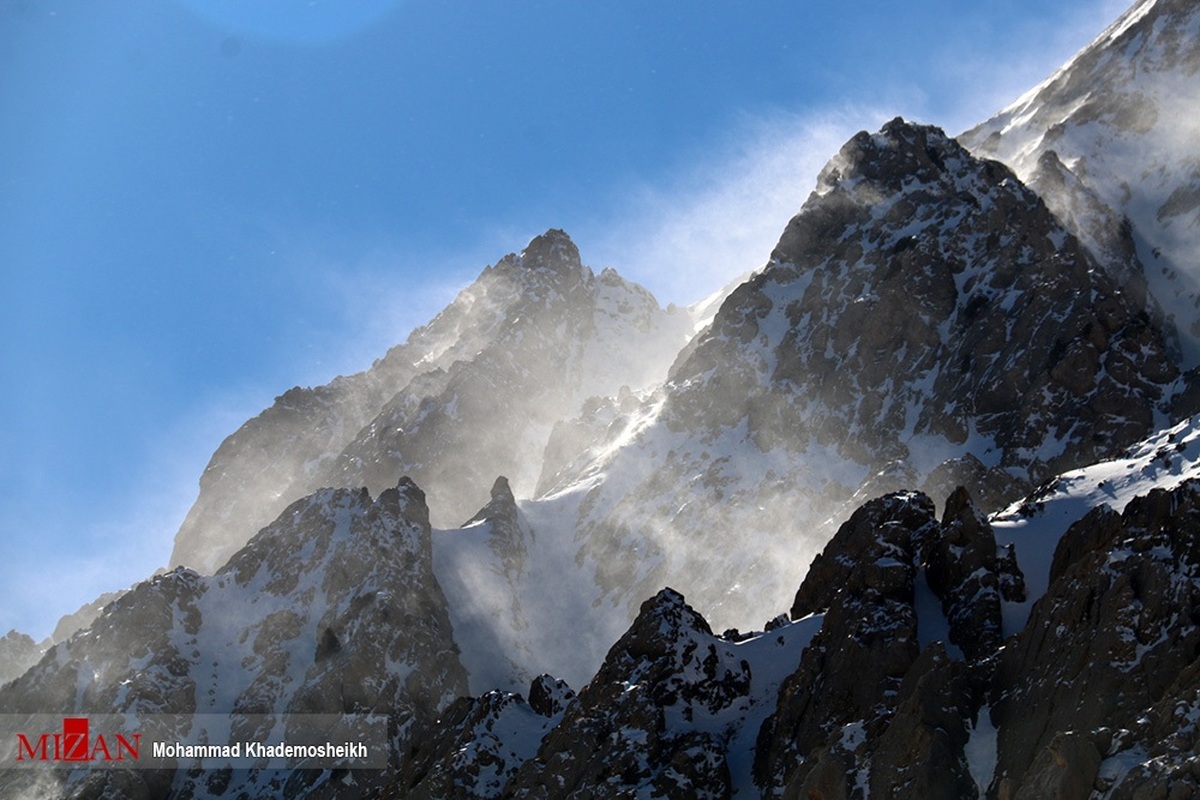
x: 921, y: 660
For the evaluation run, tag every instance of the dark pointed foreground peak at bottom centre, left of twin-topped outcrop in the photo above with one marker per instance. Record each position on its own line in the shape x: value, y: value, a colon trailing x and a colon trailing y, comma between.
x: 650, y: 711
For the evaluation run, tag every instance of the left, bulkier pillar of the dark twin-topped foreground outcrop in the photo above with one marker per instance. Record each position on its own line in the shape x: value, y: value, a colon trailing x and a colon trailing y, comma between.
x: 847, y: 689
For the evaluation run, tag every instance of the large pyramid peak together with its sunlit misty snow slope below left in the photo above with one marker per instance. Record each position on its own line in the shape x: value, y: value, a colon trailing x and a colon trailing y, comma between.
x: 925, y: 322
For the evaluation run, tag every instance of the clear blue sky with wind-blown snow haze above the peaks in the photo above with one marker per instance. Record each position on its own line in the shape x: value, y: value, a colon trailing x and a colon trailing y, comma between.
x: 207, y: 202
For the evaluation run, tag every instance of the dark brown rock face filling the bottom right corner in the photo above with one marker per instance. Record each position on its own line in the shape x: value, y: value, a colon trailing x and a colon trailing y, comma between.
x: 1108, y: 657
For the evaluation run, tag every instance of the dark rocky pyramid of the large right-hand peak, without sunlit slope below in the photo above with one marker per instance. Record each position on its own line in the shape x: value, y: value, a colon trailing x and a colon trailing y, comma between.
x: 926, y: 308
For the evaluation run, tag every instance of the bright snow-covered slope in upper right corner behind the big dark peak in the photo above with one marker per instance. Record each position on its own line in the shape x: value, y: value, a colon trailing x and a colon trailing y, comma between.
x: 1111, y: 142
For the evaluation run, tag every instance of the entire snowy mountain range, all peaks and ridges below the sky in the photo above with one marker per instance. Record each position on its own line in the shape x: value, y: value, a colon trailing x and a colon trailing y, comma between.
x: 945, y: 441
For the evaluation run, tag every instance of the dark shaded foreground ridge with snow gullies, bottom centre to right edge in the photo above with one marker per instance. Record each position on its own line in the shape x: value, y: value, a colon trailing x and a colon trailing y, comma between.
x: 921, y: 660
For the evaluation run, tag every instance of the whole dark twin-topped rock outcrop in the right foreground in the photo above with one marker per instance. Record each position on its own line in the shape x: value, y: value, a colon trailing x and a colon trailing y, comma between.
x: 878, y: 706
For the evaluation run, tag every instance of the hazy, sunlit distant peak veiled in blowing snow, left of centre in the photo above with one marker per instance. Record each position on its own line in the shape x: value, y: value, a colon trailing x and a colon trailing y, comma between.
x: 472, y: 395
